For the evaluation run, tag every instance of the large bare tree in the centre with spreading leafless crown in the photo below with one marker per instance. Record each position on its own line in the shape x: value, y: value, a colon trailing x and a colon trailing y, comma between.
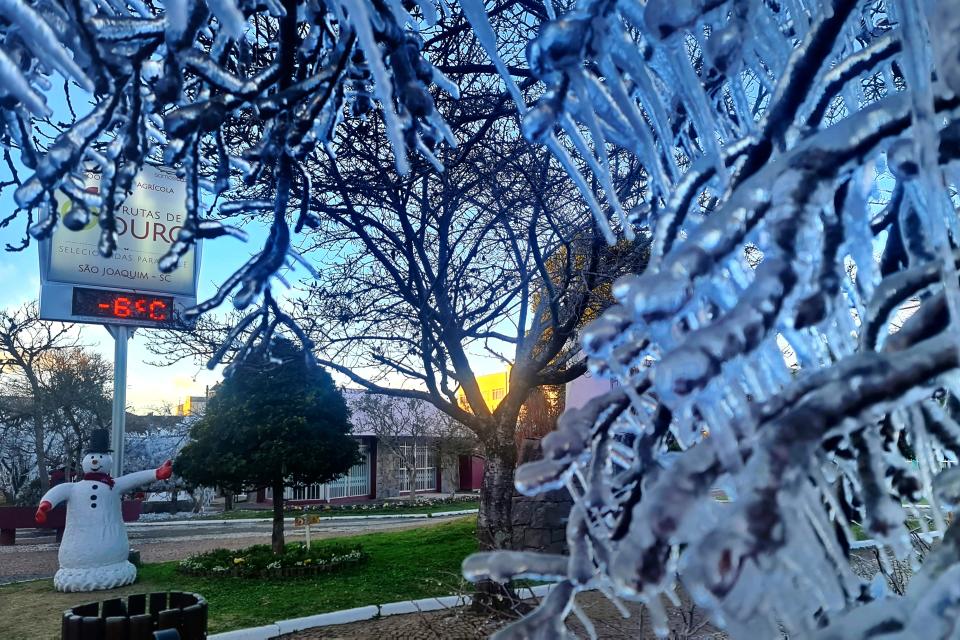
x: 422, y: 270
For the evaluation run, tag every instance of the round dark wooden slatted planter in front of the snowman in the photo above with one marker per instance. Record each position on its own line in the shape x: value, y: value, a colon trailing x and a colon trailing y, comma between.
x: 137, y: 617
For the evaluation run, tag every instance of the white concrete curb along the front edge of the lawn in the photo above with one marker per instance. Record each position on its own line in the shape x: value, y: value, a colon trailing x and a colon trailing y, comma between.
x: 356, y: 615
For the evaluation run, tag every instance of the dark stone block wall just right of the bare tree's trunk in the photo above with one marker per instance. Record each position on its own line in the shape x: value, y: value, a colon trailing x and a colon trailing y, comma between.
x: 540, y: 522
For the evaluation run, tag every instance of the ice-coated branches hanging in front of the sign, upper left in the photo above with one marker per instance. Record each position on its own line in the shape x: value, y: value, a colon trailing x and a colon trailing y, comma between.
x: 226, y: 92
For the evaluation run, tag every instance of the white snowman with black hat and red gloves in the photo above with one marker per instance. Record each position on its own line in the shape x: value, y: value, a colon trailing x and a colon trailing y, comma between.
x: 94, y: 551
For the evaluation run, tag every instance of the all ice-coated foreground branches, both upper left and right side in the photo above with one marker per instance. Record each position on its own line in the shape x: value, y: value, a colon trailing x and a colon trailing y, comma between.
x: 811, y: 133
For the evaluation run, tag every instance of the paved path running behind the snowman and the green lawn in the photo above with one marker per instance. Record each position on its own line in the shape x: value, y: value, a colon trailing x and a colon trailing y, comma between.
x: 35, y: 554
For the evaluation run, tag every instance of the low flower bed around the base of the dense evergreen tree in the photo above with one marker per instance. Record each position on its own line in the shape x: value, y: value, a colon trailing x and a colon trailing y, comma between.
x: 259, y: 561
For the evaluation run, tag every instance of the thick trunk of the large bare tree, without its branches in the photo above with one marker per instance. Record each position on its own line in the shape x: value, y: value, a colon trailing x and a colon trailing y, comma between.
x: 494, y: 520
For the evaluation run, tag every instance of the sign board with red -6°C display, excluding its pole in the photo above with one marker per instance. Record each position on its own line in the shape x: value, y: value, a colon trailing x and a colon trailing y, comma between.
x: 128, y: 288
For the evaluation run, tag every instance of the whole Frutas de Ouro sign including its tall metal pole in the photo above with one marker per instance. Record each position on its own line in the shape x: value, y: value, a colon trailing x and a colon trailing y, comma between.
x: 86, y: 287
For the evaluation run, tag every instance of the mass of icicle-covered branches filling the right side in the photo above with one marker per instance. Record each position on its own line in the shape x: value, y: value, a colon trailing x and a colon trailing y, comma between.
x: 818, y: 138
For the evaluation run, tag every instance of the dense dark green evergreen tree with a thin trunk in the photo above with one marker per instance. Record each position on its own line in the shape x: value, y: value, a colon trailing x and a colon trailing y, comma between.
x: 276, y: 421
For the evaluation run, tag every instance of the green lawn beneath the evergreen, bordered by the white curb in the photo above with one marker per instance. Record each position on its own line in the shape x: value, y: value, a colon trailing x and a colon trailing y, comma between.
x: 405, y: 565
